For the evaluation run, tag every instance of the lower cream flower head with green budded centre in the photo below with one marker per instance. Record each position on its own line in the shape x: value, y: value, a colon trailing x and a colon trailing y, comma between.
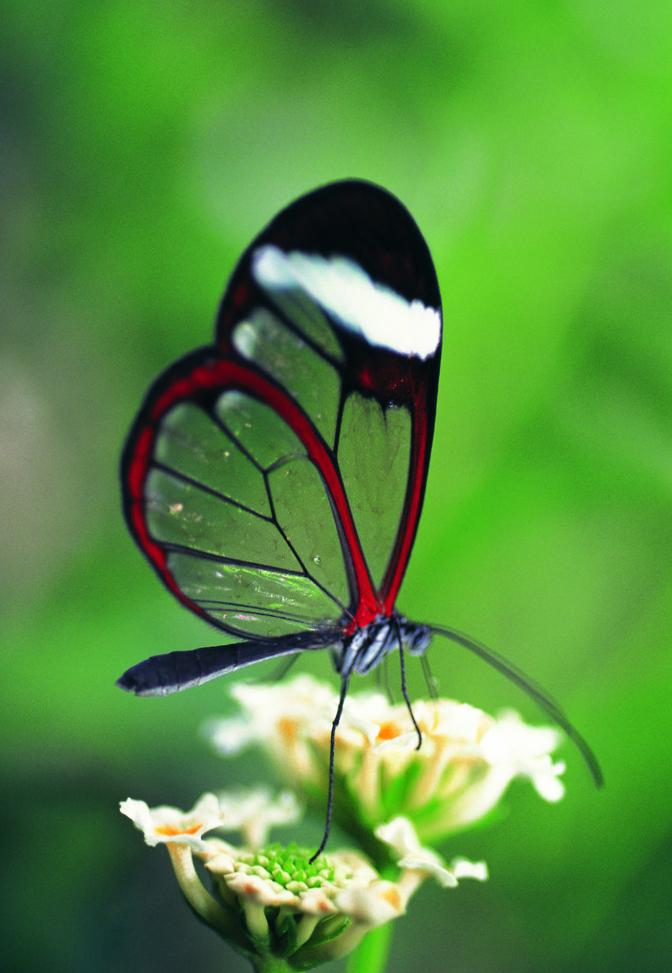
x: 271, y: 900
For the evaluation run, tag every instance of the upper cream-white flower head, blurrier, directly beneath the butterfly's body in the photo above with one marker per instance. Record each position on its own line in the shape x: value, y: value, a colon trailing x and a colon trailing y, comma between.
x: 466, y: 762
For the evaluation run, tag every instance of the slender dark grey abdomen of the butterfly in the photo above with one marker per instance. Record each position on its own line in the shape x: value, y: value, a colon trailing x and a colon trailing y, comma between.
x: 161, y: 675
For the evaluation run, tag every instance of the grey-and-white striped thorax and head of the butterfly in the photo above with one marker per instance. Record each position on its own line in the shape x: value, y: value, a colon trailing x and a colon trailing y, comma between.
x: 367, y: 647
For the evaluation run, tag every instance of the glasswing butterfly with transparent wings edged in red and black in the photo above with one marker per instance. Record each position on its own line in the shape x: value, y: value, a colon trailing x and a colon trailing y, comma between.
x: 275, y: 478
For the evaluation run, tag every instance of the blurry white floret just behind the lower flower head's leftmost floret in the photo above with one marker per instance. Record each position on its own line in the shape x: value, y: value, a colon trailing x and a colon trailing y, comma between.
x: 253, y: 812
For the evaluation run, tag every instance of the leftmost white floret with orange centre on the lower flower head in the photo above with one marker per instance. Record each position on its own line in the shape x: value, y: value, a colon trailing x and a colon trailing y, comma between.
x: 169, y: 825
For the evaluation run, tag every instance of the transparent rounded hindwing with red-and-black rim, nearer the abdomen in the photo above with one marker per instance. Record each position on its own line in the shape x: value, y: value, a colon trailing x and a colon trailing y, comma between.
x: 207, y: 471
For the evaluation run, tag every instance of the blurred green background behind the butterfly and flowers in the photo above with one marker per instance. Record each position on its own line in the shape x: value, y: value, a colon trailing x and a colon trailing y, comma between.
x: 143, y: 145
